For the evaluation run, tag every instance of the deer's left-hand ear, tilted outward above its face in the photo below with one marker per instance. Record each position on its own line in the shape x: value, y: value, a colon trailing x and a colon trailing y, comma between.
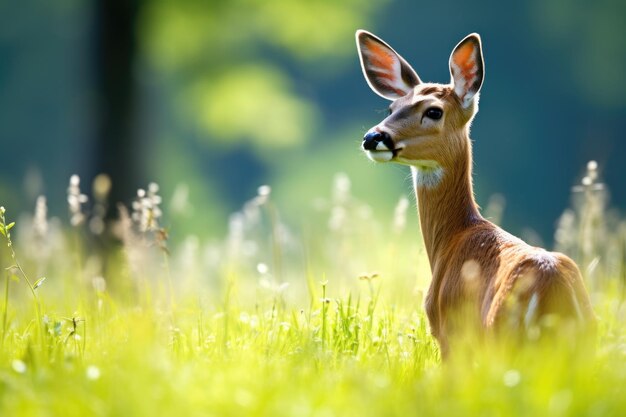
x: 386, y: 72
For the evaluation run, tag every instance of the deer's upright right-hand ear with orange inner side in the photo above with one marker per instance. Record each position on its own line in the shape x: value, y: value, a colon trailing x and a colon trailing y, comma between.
x: 467, y: 68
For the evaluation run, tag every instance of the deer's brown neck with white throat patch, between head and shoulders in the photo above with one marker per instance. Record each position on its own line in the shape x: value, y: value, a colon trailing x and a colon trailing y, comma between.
x: 446, y: 199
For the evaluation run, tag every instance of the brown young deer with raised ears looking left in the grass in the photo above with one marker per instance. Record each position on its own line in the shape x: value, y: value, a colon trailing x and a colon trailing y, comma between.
x: 483, y: 277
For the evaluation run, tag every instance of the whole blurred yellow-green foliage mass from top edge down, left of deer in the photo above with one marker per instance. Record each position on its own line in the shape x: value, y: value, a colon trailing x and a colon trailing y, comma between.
x: 218, y: 54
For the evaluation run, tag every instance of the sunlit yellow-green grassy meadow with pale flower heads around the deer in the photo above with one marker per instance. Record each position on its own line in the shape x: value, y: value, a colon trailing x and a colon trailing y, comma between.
x: 323, y: 318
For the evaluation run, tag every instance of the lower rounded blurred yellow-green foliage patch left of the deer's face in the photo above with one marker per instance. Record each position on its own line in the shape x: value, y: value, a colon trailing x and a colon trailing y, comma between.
x: 252, y: 102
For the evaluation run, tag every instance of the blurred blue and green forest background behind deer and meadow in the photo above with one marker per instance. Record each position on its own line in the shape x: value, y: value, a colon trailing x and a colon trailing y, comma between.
x: 213, y: 98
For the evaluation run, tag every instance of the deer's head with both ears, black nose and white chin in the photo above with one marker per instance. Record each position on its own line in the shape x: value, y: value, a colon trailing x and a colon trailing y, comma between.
x: 427, y: 125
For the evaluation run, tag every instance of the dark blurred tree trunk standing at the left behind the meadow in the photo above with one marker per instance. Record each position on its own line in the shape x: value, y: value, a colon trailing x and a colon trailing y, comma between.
x: 116, y: 147
